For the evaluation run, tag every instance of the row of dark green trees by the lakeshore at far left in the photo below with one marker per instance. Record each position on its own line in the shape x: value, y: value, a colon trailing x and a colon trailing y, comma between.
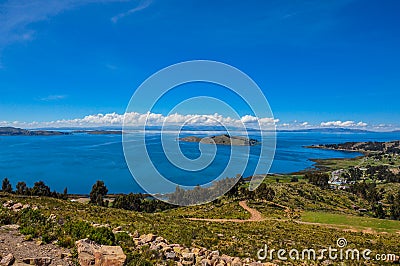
x: 39, y: 189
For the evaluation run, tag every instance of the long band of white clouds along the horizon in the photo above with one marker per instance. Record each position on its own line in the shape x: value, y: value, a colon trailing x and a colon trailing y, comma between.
x: 154, y: 119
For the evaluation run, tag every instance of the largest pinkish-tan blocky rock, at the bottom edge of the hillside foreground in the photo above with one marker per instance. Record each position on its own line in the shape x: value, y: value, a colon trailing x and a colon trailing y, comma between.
x: 90, y: 253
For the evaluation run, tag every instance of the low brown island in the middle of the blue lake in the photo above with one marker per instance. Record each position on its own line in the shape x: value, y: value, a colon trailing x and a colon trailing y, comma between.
x: 224, y: 139
